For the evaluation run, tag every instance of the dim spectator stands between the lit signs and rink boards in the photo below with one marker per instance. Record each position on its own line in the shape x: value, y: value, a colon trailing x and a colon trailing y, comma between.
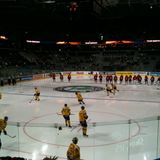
x: 34, y: 59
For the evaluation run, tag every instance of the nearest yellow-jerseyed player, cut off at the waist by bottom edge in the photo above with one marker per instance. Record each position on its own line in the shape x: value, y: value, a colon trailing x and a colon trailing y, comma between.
x: 73, y: 152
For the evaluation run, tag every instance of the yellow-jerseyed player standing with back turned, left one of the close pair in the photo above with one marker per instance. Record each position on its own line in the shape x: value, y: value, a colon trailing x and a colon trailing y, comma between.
x: 66, y: 114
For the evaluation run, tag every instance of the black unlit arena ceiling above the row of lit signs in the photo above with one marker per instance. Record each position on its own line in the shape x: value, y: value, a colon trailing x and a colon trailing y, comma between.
x: 91, y: 16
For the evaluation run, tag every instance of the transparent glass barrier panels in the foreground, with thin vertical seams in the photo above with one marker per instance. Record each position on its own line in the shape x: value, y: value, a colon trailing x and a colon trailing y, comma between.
x: 123, y: 140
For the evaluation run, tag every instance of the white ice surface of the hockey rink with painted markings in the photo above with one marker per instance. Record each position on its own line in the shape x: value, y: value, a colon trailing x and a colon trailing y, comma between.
x: 123, y: 126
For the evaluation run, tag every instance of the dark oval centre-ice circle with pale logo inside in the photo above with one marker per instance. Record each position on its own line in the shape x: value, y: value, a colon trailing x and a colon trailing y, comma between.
x: 80, y: 88
